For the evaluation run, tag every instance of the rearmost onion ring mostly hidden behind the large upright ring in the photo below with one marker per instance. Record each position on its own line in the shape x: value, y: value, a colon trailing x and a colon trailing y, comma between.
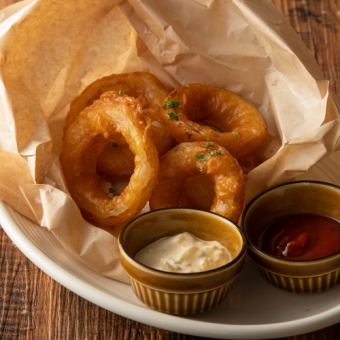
x: 141, y: 85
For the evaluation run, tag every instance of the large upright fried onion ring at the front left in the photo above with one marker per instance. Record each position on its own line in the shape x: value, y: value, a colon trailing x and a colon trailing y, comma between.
x: 106, y: 117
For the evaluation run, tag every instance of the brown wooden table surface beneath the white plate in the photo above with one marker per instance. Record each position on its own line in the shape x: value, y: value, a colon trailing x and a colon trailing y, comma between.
x: 33, y: 306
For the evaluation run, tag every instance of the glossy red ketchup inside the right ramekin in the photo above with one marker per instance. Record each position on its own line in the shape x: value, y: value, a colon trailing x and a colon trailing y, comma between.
x: 301, y: 237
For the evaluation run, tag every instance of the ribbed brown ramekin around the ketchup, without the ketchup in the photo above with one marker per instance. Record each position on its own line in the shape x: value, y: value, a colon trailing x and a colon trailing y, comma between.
x: 294, y: 198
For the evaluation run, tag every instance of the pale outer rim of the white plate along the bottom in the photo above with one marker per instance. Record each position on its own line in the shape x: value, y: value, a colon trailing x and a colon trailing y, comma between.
x: 176, y: 324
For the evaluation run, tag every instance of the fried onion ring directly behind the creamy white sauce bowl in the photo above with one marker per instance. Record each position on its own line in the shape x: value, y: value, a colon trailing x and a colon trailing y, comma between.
x: 190, y: 160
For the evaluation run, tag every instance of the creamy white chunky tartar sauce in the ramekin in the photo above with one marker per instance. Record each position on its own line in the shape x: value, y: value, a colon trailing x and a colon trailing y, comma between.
x: 184, y: 253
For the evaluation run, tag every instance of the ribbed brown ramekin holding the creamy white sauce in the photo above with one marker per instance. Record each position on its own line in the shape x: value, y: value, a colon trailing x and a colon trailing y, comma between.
x: 180, y: 293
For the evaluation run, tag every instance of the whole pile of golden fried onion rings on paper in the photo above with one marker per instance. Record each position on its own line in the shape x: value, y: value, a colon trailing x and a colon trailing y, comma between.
x: 120, y: 125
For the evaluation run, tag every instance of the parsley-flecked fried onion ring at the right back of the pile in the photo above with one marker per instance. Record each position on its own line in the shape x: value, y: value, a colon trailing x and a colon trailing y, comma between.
x: 198, y: 112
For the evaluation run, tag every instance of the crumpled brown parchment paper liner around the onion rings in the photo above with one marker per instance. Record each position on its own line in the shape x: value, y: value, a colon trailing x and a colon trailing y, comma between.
x: 52, y: 49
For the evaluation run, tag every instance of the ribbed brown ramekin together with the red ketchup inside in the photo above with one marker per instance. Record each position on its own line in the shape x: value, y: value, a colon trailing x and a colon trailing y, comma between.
x: 293, y: 235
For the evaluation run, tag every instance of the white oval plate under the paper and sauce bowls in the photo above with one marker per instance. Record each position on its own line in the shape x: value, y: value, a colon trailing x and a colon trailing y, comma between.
x: 254, y: 308
